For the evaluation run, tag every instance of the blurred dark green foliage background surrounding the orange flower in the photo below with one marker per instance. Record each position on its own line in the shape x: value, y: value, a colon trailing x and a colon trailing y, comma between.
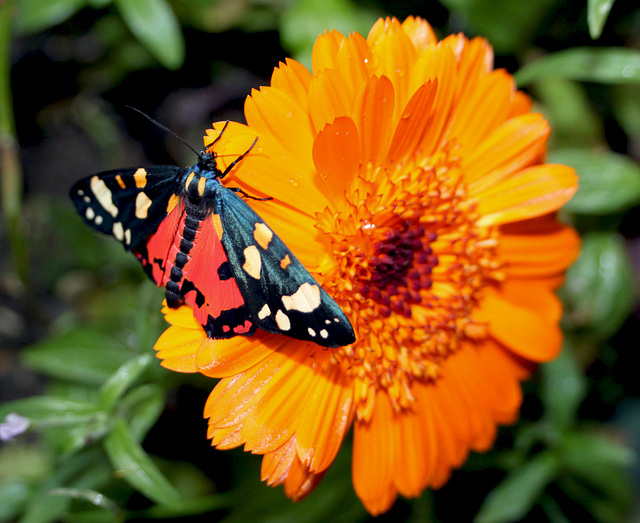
x: 87, y: 455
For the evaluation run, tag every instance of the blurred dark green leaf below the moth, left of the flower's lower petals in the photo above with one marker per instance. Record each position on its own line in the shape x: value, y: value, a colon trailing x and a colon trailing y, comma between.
x: 81, y: 355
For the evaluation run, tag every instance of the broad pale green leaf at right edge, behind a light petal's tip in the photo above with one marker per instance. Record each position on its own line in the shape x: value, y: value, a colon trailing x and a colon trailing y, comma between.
x: 609, y: 182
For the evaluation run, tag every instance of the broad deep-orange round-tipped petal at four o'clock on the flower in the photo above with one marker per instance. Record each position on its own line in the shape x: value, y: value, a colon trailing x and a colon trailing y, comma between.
x: 523, y: 331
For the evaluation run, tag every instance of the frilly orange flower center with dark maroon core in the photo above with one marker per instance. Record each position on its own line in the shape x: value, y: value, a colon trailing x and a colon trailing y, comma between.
x: 411, y: 266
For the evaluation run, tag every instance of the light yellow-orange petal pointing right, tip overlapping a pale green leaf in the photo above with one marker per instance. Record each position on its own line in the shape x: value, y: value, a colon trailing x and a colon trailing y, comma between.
x: 530, y: 193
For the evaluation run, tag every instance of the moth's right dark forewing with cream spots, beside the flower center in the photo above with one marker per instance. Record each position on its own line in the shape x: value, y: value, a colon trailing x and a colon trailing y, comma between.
x: 280, y: 293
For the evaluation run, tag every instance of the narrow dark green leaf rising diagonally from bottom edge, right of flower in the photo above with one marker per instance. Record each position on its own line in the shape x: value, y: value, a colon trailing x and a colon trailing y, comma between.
x: 519, y: 491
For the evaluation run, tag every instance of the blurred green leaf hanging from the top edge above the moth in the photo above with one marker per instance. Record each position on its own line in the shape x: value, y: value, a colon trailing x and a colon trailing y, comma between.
x: 155, y: 25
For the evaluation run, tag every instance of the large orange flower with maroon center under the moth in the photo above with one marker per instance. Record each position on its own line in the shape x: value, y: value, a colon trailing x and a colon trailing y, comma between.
x: 409, y: 178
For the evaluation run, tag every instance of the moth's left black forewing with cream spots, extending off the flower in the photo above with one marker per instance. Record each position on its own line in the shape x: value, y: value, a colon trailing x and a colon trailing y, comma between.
x: 127, y: 204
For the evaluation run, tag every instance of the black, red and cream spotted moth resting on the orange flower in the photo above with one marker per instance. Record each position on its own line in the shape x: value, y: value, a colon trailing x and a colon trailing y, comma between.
x: 206, y: 246
